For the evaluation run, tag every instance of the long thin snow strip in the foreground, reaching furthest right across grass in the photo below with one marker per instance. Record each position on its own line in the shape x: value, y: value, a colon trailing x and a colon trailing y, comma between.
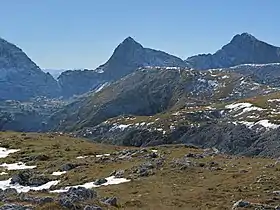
x: 112, y: 180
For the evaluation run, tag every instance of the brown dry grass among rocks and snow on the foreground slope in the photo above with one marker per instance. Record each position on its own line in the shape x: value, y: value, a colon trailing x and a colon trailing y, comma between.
x: 170, y: 188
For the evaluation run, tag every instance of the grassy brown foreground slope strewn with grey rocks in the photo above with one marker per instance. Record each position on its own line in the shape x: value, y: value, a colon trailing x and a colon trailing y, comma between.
x: 164, y: 177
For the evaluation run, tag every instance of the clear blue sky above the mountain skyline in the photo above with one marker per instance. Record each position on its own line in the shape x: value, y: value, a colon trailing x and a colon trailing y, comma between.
x: 83, y: 33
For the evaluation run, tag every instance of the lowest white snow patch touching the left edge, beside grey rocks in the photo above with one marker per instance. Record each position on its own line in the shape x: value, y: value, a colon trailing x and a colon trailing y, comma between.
x: 6, y: 184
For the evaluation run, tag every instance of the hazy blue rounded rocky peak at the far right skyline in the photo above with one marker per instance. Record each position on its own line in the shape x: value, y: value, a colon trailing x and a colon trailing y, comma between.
x: 242, y: 49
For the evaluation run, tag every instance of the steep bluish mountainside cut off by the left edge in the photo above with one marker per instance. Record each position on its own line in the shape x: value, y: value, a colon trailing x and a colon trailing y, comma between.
x: 21, y: 78
